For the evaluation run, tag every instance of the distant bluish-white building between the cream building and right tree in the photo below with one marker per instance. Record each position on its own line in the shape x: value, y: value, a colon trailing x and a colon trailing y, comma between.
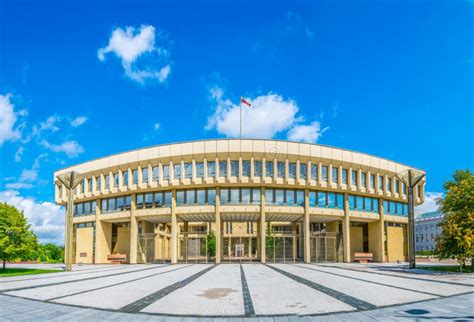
x: 426, y: 230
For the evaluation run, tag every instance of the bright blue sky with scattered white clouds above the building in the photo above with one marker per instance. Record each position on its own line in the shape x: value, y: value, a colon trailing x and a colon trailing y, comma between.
x: 83, y: 80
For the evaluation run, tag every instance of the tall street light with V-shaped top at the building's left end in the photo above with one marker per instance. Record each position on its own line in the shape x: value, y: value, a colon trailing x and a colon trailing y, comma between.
x: 70, y: 181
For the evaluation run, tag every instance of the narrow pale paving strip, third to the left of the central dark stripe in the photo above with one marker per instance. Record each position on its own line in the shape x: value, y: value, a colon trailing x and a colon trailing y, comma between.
x: 72, y: 288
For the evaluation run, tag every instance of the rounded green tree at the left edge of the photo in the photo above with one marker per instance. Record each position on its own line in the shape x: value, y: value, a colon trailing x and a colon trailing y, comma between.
x: 17, y: 241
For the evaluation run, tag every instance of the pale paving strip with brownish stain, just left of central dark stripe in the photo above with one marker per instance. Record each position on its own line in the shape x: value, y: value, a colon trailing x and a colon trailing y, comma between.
x: 216, y: 293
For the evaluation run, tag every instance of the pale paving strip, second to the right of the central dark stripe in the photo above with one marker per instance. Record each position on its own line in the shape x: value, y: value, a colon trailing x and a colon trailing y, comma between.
x: 372, y: 293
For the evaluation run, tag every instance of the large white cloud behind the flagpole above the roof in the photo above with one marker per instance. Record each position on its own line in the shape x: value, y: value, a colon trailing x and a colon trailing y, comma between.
x: 269, y: 115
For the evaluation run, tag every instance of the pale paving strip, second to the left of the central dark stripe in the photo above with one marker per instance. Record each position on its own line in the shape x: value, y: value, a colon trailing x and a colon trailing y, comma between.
x: 118, y: 296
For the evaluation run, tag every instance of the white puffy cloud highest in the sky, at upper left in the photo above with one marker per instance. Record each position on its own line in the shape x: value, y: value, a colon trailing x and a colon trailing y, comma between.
x: 131, y: 44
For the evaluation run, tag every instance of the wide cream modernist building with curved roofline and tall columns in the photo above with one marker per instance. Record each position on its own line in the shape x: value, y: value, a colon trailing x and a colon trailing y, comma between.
x: 231, y: 200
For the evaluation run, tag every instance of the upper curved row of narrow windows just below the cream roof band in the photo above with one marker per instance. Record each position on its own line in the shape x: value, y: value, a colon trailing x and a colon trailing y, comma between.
x: 185, y: 171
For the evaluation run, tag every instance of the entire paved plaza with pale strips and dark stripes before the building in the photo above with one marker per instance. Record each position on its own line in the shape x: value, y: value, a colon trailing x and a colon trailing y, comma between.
x: 253, y: 291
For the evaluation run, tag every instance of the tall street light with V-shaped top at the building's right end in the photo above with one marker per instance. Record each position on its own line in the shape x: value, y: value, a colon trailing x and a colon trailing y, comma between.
x: 411, y: 178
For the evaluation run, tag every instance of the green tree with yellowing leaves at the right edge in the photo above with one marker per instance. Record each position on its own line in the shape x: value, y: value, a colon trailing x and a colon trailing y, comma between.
x: 455, y: 240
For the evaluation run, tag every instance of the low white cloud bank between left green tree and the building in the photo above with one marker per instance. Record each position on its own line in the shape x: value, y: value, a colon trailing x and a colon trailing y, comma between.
x: 46, y: 218
